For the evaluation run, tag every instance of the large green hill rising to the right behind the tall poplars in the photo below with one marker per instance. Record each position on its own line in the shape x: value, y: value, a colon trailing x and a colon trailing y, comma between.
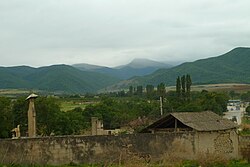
x: 232, y: 67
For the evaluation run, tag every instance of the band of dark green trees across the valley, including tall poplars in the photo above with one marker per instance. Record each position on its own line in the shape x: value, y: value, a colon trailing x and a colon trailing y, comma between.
x: 115, y: 109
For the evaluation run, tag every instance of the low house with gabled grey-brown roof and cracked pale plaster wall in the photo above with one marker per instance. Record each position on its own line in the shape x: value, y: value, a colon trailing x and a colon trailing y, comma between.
x: 206, y: 132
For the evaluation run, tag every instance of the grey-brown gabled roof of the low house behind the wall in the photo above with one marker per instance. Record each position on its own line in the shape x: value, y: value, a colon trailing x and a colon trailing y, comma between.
x: 199, y: 121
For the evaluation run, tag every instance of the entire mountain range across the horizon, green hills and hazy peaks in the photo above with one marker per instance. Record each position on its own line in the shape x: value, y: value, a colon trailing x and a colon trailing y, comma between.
x: 231, y: 67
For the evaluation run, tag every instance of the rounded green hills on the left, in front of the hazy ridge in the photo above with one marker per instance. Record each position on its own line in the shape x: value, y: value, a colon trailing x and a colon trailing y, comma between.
x: 56, y: 78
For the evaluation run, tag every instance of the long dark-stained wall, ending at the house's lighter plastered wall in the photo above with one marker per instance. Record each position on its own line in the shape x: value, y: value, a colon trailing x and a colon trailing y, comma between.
x: 95, y: 149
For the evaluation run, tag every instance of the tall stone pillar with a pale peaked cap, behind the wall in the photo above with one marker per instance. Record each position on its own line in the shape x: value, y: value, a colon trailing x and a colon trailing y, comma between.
x: 32, y: 115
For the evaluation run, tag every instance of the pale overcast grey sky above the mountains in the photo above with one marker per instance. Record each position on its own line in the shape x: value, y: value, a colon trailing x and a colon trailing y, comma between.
x: 114, y: 32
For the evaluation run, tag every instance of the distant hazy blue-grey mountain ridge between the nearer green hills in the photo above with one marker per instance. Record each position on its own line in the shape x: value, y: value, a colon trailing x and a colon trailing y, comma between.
x: 137, y: 67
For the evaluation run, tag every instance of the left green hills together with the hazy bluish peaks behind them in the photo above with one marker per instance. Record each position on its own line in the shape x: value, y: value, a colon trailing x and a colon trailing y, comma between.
x: 79, y: 78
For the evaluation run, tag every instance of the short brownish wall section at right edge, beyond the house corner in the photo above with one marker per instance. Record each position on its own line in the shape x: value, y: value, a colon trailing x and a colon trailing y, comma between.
x: 244, y: 147
